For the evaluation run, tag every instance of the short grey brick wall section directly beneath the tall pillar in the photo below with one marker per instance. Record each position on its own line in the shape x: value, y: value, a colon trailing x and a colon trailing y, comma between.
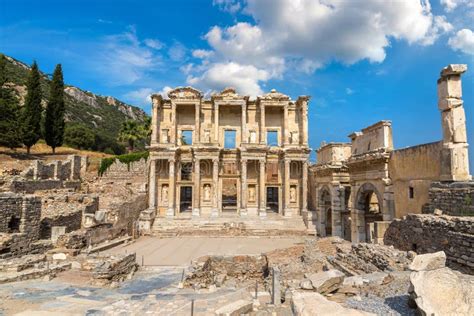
x: 455, y: 199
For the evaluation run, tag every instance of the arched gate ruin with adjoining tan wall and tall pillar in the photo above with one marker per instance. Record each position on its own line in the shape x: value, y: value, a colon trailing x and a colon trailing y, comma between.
x: 375, y: 183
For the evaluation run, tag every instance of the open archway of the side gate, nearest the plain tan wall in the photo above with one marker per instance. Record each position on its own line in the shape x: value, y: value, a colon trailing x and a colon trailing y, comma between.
x: 369, y: 208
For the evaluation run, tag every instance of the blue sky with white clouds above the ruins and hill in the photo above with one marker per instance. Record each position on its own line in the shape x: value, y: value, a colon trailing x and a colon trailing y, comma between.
x: 360, y: 61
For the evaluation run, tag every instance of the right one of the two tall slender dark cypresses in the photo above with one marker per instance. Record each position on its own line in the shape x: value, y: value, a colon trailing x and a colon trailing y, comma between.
x: 54, y: 120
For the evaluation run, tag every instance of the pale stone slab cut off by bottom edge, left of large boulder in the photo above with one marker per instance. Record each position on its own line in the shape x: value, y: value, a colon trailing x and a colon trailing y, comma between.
x: 314, y: 304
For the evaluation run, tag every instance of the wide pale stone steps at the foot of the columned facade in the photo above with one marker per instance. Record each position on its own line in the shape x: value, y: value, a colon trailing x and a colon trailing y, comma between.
x: 229, y: 225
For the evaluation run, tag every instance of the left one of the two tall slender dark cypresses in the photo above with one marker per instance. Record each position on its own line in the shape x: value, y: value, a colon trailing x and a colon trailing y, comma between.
x: 31, y: 114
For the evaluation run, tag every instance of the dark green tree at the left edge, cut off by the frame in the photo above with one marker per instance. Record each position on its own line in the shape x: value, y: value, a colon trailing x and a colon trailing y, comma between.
x: 9, y: 110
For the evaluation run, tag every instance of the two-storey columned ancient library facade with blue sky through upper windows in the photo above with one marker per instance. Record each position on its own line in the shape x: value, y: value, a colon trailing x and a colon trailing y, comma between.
x: 227, y: 155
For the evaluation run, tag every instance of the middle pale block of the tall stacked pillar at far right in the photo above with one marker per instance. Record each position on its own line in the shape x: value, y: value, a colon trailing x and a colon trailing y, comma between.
x: 454, y: 125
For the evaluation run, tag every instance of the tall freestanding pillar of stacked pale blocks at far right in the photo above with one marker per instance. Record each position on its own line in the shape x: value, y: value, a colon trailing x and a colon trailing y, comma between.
x: 454, y: 157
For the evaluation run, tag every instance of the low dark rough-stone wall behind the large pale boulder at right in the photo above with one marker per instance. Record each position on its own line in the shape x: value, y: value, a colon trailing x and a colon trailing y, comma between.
x: 424, y: 233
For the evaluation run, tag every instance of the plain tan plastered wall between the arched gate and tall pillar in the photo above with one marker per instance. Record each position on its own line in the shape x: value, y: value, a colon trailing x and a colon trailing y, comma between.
x: 412, y: 170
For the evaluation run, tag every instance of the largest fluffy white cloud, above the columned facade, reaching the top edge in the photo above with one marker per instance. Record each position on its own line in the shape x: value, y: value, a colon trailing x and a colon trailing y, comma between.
x: 306, y: 35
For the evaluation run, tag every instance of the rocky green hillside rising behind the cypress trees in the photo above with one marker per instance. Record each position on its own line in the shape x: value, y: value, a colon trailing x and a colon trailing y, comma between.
x: 103, y: 115
